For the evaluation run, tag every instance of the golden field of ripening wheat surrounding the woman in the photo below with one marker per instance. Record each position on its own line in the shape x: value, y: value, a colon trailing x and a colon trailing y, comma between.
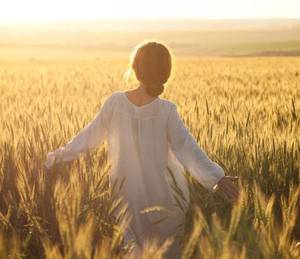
x: 244, y: 112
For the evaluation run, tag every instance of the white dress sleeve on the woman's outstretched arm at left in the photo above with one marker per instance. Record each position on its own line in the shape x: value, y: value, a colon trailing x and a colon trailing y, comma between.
x: 91, y: 136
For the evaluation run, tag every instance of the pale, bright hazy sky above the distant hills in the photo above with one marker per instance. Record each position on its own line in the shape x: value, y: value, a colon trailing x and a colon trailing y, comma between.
x: 45, y: 10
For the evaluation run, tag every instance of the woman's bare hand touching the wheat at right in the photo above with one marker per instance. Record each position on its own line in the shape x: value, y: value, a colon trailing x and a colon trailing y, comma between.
x: 227, y: 186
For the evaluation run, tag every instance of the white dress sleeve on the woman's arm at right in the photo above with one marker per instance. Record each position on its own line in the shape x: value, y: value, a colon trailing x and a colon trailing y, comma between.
x: 186, y: 149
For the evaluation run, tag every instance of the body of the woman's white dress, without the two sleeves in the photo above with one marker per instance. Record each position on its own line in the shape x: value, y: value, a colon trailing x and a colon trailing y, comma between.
x: 139, y: 152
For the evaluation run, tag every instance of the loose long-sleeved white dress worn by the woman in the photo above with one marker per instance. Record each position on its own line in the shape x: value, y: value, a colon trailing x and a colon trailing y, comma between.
x: 145, y: 144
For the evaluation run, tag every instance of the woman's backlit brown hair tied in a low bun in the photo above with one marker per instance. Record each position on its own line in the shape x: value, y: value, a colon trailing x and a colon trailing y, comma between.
x: 152, y: 63
